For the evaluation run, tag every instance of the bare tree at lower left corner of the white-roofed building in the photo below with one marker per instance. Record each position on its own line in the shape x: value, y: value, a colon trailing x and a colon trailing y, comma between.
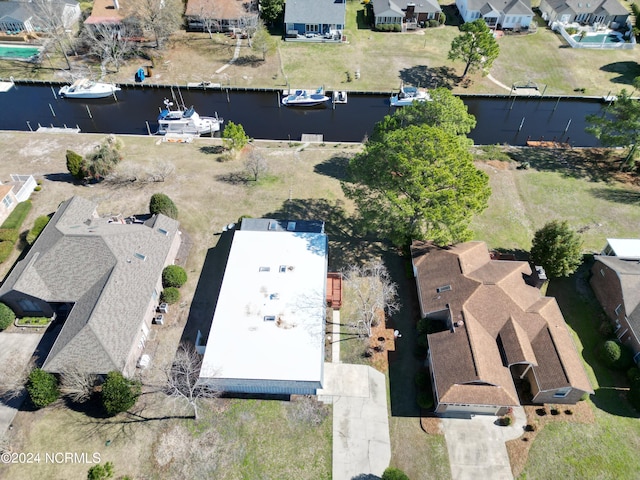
x: 182, y: 378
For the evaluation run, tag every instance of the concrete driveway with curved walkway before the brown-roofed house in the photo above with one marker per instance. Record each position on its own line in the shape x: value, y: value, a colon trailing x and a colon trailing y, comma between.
x: 477, y: 447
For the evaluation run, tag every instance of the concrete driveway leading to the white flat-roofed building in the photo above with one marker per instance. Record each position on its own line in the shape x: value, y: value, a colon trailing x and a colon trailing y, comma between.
x: 361, y: 443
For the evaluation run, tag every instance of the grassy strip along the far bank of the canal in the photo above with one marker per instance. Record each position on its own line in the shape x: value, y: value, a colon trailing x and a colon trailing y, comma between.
x: 384, y: 60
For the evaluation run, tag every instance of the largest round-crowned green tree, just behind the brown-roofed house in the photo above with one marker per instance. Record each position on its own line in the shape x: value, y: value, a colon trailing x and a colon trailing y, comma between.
x: 417, y: 182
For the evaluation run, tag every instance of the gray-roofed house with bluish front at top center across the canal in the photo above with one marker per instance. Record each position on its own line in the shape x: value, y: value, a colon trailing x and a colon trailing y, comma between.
x: 315, y: 19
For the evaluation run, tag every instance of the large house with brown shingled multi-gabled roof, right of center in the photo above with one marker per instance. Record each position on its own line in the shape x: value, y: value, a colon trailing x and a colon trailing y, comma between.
x: 491, y: 328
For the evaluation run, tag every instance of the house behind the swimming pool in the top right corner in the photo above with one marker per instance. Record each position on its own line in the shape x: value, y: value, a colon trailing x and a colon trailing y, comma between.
x: 589, y: 12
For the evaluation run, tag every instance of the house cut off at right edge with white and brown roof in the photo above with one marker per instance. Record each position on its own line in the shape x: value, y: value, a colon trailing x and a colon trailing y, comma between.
x: 615, y: 280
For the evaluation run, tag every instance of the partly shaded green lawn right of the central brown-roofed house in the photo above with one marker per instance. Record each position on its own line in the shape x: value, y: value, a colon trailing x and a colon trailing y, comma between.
x: 606, y: 449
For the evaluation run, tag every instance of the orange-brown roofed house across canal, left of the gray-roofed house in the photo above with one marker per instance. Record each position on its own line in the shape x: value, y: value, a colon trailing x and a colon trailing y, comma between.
x: 221, y: 15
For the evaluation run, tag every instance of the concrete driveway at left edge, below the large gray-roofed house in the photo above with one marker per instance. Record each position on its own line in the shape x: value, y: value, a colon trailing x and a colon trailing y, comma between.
x: 20, y: 347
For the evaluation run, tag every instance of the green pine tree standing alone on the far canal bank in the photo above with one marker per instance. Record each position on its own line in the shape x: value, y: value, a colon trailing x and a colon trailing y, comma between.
x: 475, y: 46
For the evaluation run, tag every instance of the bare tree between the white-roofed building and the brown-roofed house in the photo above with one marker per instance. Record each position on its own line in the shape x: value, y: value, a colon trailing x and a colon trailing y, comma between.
x: 375, y: 294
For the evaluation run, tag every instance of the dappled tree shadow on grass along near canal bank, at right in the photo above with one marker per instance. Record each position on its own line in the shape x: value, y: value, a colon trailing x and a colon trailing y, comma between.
x: 593, y: 164
